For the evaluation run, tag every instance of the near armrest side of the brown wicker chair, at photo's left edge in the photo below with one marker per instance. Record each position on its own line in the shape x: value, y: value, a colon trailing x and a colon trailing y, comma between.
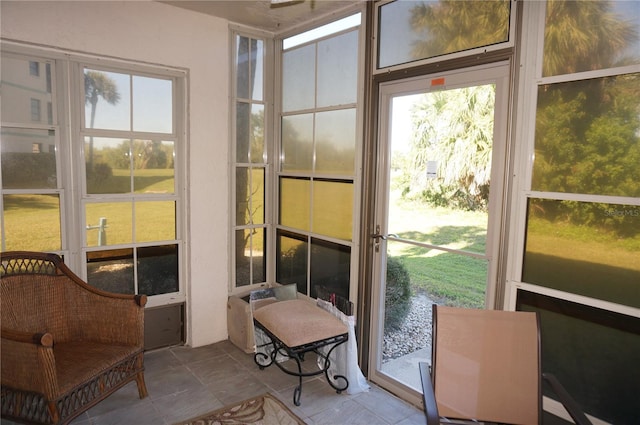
x: 28, y: 362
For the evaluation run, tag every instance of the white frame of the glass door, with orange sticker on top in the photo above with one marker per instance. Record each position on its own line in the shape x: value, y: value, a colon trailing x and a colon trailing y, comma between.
x: 499, y: 74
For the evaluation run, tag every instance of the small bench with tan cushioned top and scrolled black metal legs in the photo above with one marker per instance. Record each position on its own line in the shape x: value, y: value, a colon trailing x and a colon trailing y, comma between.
x: 294, y: 328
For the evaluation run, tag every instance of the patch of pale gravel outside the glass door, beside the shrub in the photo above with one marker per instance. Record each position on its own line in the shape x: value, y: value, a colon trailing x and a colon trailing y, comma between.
x: 414, y: 333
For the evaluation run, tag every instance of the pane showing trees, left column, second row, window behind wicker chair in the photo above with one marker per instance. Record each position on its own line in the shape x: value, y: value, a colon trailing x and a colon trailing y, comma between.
x: 108, y: 165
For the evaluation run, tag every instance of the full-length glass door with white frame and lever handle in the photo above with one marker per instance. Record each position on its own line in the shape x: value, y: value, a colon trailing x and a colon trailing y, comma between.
x: 438, y: 210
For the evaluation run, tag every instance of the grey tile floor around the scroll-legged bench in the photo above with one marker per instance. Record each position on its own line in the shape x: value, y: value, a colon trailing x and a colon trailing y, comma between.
x: 185, y: 382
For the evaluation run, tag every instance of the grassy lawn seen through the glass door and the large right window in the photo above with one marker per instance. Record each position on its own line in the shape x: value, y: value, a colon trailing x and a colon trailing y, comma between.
x: 580, y: 259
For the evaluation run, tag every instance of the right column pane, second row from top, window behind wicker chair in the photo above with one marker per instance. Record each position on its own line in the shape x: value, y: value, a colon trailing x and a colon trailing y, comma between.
x: 153, y: 166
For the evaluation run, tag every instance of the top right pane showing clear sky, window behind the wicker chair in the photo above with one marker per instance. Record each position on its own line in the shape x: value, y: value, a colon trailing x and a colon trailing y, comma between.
x: 152, y: 105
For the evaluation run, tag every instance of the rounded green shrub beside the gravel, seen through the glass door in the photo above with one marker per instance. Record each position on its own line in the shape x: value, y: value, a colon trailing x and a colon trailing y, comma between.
x: 397, y: 295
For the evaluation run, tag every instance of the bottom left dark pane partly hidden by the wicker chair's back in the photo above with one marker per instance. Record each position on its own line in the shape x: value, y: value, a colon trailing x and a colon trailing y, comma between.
x: 111, y: 270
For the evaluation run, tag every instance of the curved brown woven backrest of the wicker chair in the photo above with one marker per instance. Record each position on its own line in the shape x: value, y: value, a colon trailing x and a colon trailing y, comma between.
x: 39, y: 293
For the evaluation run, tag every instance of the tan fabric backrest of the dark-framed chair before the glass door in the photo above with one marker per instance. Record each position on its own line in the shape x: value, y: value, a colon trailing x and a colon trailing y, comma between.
x: 486, y: 365
